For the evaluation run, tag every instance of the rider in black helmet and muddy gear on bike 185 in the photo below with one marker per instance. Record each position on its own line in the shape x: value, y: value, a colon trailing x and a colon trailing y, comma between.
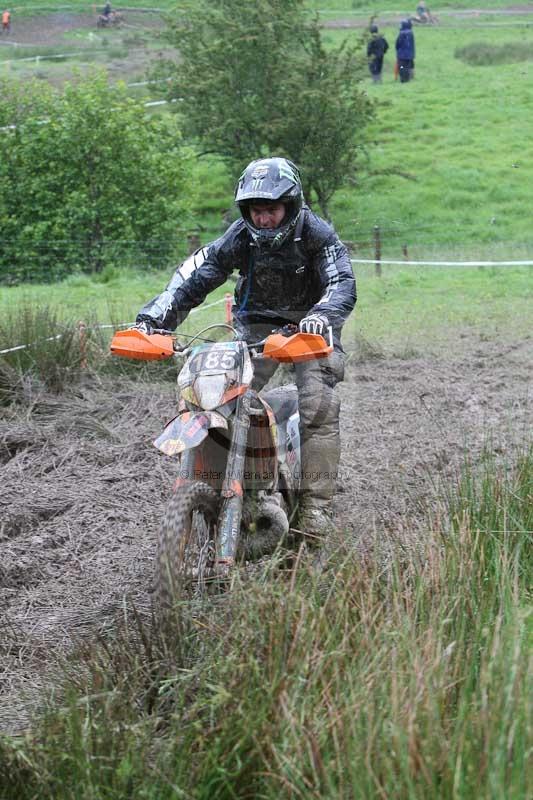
x: 293, y: 269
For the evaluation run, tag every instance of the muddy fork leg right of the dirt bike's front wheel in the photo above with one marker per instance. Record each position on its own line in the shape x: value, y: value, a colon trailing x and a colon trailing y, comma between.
x: 229, y: 519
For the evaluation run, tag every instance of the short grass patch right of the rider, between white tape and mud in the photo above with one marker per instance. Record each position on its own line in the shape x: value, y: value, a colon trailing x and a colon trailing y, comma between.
x: 424, y: 308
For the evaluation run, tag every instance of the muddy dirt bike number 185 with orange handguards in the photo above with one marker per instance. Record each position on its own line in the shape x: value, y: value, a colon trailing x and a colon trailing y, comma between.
x: 237, y: 490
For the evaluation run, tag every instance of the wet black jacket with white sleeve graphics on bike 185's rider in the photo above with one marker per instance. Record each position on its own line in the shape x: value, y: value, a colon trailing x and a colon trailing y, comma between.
x: 310, y: 272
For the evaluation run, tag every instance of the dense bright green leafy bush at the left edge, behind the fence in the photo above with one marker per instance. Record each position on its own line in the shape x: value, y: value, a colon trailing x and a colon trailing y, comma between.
x: 87, y: 178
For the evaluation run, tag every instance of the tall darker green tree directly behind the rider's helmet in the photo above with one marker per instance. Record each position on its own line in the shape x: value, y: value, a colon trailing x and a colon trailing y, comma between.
x: 255, y: 79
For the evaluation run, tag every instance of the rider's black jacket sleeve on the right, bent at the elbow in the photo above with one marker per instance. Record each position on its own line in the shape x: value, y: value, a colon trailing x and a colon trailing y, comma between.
x: 337, y: 281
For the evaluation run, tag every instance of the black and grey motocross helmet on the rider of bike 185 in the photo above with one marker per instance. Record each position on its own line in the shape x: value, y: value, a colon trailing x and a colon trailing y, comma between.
x: 270, y: 179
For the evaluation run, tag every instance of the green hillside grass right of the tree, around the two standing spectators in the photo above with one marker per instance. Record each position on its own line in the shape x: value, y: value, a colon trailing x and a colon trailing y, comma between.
x: 455, y: 138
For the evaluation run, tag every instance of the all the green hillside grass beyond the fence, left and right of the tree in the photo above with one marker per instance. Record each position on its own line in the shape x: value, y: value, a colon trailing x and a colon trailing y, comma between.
x: 448, y: 167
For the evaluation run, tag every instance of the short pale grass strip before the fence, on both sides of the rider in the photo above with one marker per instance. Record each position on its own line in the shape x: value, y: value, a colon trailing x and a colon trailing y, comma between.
x: 407, y: 308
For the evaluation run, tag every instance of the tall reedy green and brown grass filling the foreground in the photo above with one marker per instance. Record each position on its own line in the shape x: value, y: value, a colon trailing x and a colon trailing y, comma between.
x: 407, y: 682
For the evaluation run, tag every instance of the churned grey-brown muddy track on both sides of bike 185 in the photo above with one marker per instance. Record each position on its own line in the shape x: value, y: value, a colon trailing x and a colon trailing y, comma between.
x: 83, y: 490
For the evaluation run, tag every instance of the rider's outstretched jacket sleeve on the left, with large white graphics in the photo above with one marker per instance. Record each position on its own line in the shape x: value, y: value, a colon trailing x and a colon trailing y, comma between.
x: 203, y: 271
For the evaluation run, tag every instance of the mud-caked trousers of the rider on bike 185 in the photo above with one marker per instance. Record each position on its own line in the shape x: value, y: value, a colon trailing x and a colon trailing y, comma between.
x: 319, y: 422
